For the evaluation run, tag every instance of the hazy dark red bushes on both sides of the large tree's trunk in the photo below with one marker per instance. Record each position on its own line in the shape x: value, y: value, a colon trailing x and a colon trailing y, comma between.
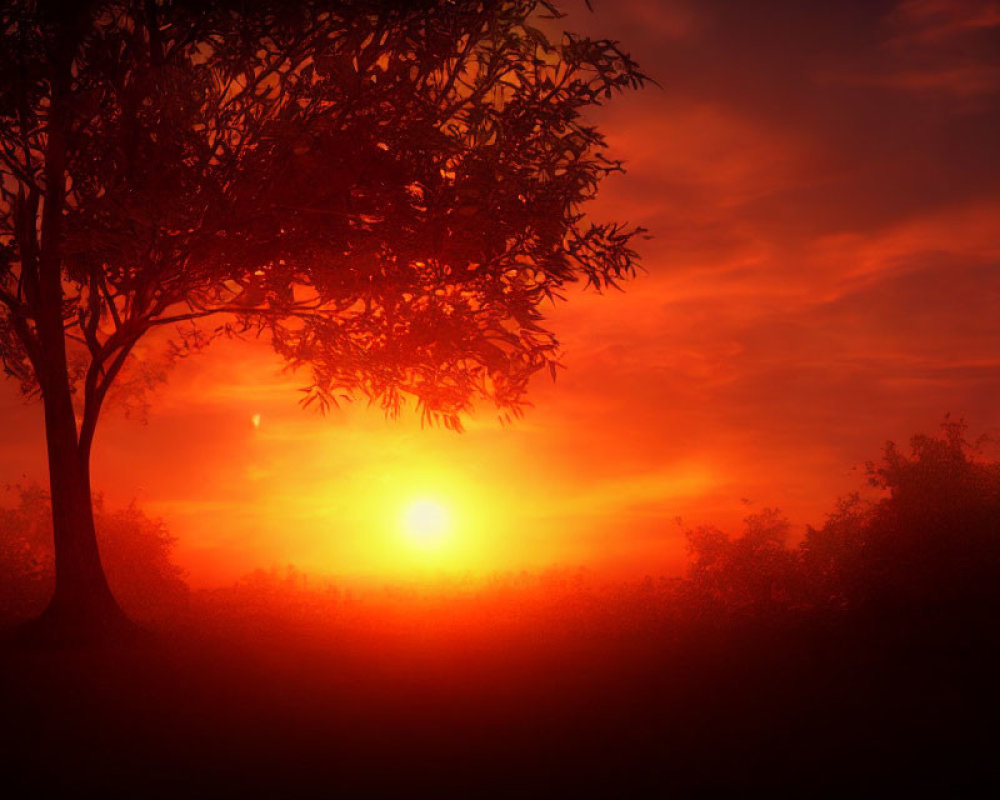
x: 135, y: 549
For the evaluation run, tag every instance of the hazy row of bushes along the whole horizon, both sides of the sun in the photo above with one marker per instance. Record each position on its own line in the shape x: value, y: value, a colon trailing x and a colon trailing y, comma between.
x: 923, y: 543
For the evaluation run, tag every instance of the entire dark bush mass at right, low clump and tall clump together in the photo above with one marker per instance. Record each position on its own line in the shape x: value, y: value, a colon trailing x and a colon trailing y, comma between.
x: 929, y: 545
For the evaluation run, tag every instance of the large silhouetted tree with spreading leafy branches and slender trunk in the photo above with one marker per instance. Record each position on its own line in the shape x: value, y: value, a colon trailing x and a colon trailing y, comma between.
x: 388, y: 190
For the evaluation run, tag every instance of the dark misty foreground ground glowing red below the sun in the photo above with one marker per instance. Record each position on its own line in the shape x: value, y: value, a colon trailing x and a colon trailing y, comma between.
x: 432, y: 700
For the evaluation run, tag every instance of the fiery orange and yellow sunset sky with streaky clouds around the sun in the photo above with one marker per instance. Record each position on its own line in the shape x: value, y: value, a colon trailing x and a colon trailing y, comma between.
x: 822, y: 184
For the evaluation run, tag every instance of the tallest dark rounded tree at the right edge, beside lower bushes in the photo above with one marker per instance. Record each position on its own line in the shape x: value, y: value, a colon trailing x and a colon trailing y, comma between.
x: 930, y: 544
